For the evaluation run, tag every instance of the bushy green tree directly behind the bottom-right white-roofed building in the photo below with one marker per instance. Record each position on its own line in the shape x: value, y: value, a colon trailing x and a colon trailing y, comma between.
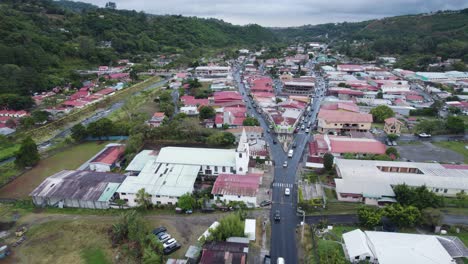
x: 402, y: 216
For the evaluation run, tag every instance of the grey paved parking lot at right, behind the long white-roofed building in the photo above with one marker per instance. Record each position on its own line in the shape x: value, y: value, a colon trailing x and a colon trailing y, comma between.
x: 425, y: 151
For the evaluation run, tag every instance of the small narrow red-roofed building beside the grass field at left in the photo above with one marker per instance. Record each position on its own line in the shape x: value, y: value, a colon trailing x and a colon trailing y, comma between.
x: 107, y: 159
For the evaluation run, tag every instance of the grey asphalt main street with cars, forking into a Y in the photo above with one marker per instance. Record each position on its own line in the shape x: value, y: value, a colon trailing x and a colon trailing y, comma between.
x: 283, y: 235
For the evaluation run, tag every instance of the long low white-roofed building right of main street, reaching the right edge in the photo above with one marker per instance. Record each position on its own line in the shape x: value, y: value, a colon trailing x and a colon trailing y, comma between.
x: 371, y: 181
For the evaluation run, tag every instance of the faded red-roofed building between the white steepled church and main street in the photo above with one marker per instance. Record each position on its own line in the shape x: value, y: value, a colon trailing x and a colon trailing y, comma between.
x: 237, y: 188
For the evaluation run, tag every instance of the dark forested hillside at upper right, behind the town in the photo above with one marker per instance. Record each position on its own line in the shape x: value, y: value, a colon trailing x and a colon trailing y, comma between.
x: 418, y: 39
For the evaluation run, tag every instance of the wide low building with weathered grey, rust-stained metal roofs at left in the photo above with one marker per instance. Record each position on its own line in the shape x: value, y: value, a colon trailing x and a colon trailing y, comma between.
x: 79, y: 189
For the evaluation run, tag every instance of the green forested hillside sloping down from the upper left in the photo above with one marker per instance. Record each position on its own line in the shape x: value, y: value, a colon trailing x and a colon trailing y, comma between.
x: 42, y: 42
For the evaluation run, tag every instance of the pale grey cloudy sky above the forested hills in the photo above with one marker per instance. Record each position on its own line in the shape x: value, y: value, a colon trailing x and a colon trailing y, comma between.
x: 286, y: 12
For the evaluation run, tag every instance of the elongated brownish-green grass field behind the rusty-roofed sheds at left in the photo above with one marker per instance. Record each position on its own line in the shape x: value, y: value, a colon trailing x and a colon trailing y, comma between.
x: 70, y: 159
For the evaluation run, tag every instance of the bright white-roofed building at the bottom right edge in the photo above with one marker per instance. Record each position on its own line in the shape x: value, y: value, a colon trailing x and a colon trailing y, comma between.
x: 390, y: 247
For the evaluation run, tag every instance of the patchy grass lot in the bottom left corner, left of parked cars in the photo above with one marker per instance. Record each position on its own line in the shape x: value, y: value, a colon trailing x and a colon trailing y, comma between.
x: 66, y: 241
